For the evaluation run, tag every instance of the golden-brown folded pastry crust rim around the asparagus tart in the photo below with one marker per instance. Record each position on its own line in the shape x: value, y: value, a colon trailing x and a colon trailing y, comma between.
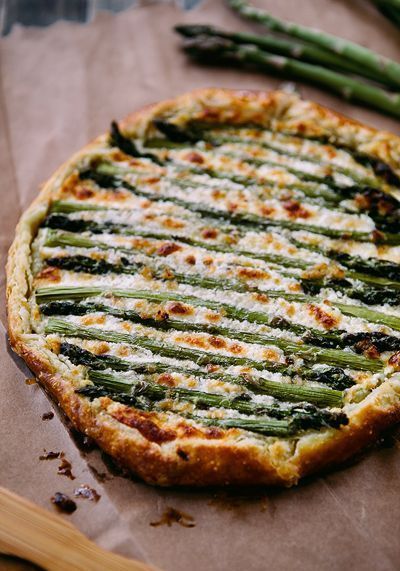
x: 219, y: 461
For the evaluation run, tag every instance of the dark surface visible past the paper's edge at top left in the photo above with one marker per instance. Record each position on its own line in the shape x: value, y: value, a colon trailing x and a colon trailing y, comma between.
x: 46, y: 12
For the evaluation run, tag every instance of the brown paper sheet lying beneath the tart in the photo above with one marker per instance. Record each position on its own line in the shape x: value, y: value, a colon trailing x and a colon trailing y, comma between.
x: 60, y: 87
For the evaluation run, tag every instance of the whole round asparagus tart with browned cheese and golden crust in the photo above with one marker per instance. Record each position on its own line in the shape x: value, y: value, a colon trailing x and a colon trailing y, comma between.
x: 211, y: 290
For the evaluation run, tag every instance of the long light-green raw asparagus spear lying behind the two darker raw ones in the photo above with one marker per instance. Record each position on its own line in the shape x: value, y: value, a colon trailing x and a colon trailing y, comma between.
x: 366, y: 59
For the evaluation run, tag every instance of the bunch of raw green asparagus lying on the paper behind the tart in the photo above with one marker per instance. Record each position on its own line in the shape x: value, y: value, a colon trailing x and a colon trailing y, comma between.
x: 305, y: 53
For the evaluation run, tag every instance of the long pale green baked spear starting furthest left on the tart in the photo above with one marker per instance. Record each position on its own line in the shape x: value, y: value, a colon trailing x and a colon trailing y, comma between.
x: 314, y: 336
